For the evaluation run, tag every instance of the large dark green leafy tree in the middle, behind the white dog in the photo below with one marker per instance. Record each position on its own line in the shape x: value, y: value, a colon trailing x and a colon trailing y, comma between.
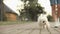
x: 32, y: 9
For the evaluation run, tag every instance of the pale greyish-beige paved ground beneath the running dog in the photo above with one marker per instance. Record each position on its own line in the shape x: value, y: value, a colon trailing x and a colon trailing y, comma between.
x: 28, y: 28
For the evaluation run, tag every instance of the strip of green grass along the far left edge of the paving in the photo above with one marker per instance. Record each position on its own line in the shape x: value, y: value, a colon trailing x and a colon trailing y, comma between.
x: 14, y: 22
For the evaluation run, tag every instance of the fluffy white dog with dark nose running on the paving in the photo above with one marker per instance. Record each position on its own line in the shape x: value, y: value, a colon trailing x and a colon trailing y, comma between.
x: 43, y: 21
